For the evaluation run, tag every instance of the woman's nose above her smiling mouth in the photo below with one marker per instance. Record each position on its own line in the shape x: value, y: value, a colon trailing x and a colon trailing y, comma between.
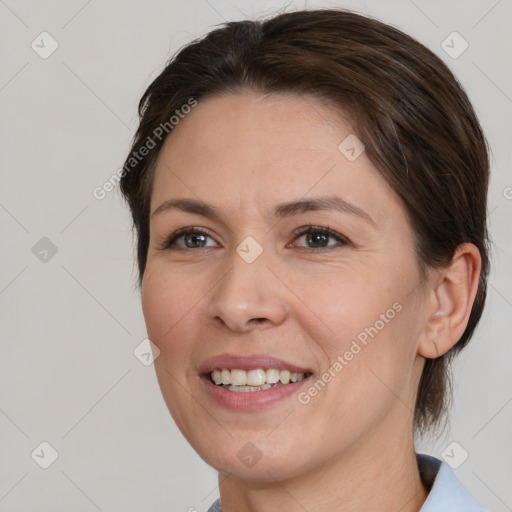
x: 248, y: 295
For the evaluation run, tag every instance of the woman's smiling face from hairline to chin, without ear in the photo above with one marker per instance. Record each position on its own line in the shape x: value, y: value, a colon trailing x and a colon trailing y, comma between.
x: 256, y: 296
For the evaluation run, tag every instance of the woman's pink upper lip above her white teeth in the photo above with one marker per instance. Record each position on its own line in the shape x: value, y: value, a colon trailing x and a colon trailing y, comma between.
x: 248, y: 362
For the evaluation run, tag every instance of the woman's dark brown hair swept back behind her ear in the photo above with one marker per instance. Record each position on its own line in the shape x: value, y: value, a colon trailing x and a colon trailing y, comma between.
x: 417, y: 123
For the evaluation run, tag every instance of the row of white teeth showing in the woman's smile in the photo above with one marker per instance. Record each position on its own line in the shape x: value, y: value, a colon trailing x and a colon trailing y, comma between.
x: 254, y: 380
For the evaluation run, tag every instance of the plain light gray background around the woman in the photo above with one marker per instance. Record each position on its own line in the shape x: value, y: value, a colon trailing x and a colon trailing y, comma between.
x: 71, y: 320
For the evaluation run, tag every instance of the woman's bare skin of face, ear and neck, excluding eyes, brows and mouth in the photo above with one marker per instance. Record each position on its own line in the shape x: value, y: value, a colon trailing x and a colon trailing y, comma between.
x: 351, y: 447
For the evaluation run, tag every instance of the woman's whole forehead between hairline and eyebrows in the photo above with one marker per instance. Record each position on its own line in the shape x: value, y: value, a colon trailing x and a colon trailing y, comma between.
x: 246, y: 148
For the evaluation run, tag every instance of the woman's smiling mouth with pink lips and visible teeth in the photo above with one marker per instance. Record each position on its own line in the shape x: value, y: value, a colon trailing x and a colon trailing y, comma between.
x: 247, y: 383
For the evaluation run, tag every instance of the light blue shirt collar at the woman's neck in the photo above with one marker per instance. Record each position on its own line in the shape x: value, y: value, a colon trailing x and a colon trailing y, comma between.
x: 446, y: 493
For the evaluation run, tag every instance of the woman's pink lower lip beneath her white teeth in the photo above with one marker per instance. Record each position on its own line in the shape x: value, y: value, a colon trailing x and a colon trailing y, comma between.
x: 250, y: 400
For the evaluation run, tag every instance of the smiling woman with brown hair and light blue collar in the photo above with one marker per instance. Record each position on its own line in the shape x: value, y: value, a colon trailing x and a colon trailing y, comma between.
x: 312, y: 252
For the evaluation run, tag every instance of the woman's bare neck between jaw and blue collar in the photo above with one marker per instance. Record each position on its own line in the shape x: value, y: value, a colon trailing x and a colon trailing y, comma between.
x: 372, y: 476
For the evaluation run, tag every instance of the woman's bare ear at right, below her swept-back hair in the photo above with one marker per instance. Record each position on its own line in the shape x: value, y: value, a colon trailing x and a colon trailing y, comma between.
x: 450, y: 296
